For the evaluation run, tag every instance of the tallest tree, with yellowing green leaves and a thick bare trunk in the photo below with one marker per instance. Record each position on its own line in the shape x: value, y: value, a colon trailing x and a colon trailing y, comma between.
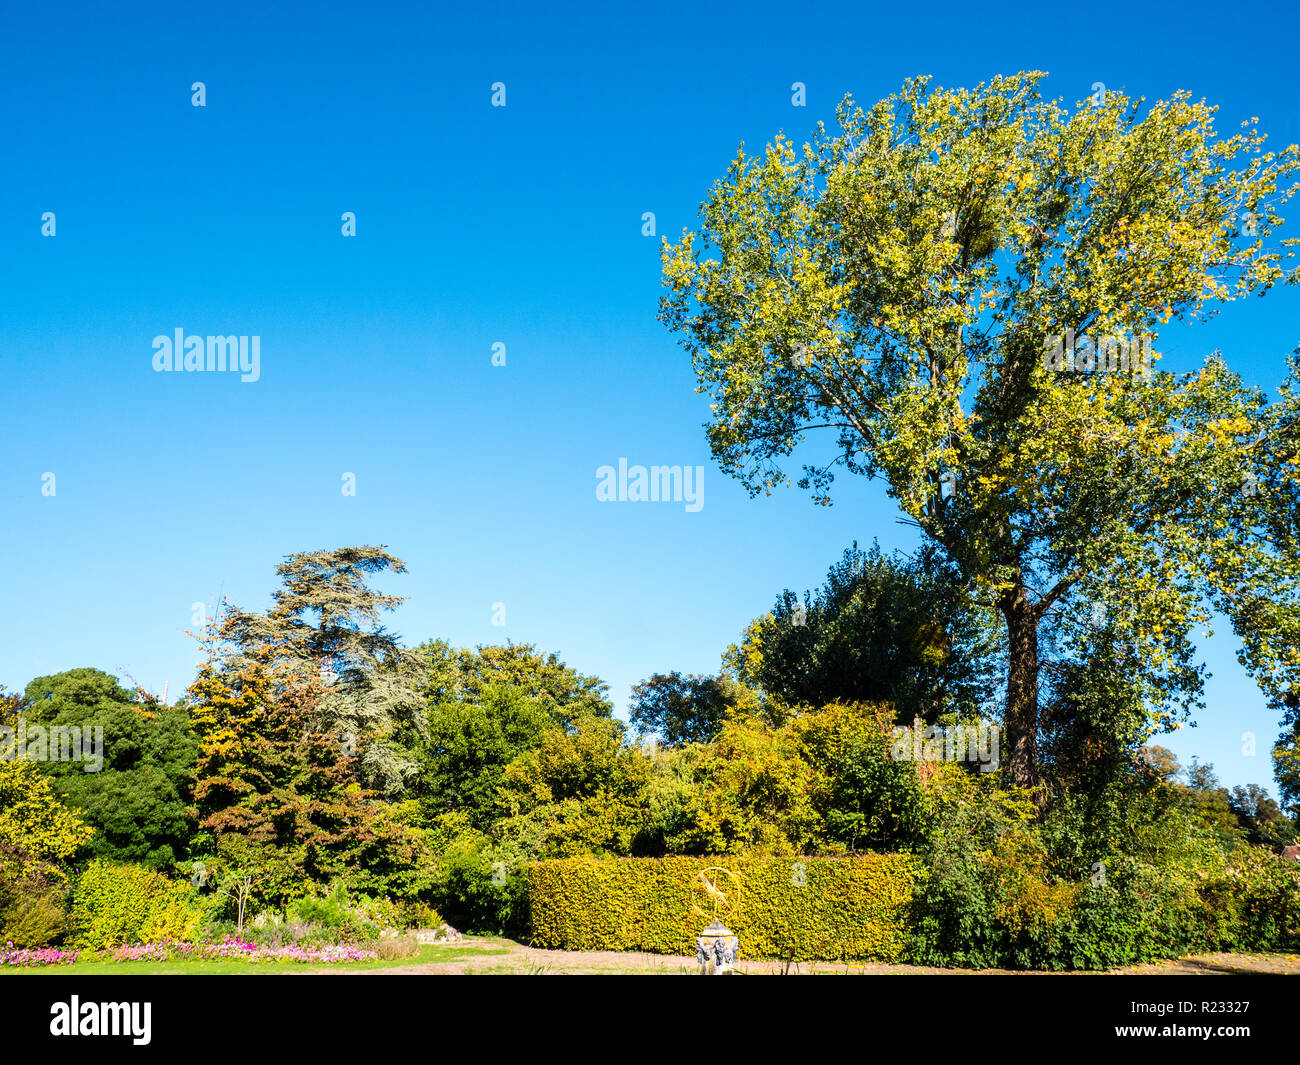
x: 899, y: 283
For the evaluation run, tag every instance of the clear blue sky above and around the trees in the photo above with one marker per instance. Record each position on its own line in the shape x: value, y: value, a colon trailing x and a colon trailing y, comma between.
x: 475, y: 226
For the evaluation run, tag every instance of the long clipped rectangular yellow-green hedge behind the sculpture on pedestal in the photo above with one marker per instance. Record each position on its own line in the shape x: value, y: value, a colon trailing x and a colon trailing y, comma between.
x: 844, y: 908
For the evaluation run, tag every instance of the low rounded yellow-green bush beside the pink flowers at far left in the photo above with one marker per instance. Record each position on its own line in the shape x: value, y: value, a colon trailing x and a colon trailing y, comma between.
x: 116, y: 904
